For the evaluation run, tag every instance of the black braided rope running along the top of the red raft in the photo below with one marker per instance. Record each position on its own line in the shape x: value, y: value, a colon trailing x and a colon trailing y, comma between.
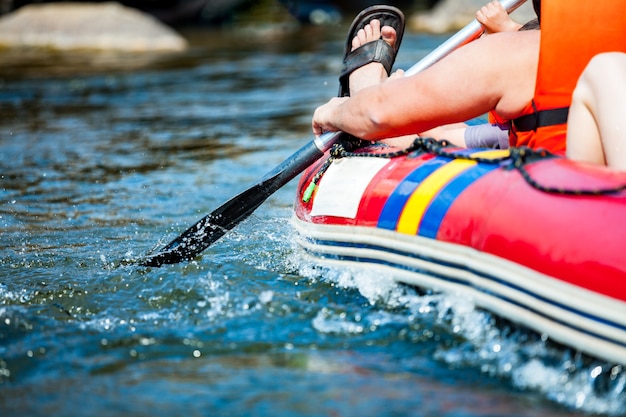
x: 518, y: 158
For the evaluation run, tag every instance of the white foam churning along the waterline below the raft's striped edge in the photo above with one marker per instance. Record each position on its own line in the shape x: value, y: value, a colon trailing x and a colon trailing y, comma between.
x: 528, y: 360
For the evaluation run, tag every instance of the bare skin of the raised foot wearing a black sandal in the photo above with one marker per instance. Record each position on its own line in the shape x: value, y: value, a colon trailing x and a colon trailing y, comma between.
x: 372, y: 73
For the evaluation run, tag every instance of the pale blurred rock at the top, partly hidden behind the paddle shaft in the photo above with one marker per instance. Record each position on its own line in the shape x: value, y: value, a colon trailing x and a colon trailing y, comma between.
x: 452, y: 15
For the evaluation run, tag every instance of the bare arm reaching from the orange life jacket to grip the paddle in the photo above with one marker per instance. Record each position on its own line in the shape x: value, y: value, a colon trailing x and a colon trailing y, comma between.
x: 466, y: 84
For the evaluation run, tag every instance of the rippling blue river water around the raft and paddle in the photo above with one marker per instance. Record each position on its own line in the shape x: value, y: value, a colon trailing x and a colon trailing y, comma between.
x: 108, y: 157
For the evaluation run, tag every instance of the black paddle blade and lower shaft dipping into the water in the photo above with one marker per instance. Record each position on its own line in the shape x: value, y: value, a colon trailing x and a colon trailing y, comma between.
x: 215, y: 225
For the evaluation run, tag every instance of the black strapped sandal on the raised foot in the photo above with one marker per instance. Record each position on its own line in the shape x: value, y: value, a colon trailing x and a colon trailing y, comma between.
x: 376, y: 51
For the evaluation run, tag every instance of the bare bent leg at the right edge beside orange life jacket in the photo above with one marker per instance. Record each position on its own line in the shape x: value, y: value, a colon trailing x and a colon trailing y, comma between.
x: 596, y: 130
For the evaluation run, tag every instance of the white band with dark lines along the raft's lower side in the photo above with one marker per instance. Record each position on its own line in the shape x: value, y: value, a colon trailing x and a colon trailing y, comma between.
x: 587, y: 321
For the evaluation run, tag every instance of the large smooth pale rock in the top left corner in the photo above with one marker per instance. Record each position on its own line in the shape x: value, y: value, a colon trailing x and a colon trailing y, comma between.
x: 86, y: 26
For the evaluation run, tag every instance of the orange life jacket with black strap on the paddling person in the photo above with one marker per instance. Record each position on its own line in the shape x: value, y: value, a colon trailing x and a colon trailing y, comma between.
x: 572, y: 32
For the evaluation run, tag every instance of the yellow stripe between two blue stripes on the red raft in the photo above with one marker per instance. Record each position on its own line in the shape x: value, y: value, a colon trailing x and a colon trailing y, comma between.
x: 419, y: 201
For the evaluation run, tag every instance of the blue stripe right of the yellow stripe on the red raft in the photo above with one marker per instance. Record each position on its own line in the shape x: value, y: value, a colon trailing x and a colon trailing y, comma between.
x: 438, y: 208
